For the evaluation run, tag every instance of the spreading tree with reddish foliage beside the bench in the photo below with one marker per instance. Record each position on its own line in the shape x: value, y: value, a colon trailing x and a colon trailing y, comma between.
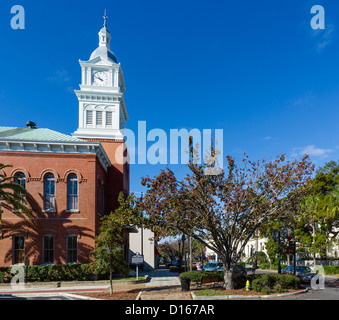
x: 224, y: 211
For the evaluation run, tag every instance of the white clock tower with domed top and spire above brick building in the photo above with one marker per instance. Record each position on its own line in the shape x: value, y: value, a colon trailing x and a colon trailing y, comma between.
x: 102, y: 109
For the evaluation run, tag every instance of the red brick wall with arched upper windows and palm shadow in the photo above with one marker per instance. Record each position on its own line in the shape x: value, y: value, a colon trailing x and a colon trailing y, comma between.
x: 61, y: 223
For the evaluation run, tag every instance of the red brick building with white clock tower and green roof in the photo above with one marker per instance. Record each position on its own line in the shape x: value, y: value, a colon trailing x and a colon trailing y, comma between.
x: 71, y: 181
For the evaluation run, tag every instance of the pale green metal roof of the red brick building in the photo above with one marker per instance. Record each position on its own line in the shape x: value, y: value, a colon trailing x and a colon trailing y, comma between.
x: 39, y: 134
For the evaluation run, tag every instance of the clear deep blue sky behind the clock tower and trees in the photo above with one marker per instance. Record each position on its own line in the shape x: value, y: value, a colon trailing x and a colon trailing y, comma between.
x: 255, y: 69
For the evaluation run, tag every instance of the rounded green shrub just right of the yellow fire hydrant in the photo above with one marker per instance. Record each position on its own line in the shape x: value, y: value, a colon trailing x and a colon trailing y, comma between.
x: 271, y: 283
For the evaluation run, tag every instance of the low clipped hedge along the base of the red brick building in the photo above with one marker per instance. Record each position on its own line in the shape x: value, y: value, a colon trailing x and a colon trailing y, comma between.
x: 64, y: 272
